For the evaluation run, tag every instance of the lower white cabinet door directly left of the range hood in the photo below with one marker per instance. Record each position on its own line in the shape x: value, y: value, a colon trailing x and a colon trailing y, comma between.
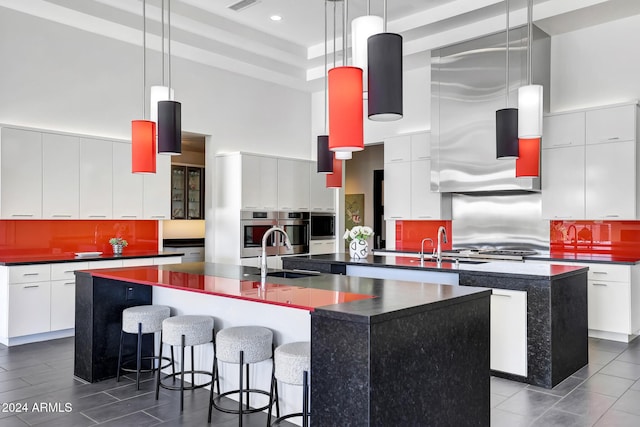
x: 424, y: 203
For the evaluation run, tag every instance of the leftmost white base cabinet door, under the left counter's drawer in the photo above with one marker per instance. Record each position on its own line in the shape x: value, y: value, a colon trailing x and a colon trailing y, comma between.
x: 30, y: 308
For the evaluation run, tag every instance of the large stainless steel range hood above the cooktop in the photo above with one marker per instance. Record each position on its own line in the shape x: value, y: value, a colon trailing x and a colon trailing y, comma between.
x: 467, y: 87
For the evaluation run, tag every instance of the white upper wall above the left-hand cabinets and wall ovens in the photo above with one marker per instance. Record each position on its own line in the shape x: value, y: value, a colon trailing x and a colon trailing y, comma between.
x: 61, y: 78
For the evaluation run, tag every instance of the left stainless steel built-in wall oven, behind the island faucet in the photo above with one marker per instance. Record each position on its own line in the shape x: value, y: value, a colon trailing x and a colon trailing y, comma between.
x: 253, y: 225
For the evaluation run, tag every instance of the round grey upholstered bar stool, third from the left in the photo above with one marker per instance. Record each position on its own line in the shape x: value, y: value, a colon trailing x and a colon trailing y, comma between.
x: 243, y: 345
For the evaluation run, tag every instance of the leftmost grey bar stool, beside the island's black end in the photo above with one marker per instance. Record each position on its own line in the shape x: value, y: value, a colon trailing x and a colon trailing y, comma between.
x: 141, y: 320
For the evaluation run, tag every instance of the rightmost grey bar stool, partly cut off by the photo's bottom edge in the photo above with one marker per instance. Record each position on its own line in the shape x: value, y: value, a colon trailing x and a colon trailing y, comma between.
x: 292, y: 362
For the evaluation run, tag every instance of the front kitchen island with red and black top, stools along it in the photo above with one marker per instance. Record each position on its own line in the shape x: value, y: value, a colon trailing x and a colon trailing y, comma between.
x: 384, y: 352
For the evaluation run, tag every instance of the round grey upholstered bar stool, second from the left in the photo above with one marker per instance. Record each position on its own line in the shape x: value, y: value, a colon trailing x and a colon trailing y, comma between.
x: 186, y: 331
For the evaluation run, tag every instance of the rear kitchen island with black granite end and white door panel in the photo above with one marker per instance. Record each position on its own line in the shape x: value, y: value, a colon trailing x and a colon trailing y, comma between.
x: 554, y: 310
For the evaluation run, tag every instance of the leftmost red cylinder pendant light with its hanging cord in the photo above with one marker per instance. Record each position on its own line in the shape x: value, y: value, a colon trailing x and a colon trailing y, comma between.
x: 143, y: 132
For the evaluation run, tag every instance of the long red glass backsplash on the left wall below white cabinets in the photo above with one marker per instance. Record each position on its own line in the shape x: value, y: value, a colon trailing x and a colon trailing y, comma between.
x: 33, y: 237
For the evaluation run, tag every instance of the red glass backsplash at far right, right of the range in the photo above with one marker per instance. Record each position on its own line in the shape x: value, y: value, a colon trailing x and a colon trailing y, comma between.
x: 615, y: 238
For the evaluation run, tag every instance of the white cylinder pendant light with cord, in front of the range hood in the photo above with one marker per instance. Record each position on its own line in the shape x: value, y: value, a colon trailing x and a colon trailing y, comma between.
x: 530, y: 97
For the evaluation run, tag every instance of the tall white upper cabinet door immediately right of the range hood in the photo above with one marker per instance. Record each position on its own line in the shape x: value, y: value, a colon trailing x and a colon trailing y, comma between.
x: 563, y: 185
